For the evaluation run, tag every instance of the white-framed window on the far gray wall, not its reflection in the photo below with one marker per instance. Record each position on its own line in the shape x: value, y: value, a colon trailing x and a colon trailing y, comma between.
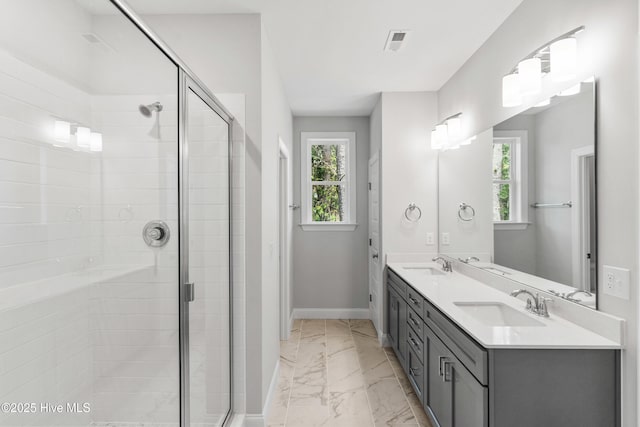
x: 328, y: 180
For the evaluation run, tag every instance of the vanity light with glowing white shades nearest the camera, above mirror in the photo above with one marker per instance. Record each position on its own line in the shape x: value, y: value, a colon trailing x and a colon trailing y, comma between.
x: 559, y: 58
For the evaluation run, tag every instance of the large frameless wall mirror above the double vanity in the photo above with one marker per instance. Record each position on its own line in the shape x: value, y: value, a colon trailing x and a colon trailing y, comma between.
x: 520, y: 200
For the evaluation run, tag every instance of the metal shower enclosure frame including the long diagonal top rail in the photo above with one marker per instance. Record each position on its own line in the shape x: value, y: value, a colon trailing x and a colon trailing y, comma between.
x: 187, y: 80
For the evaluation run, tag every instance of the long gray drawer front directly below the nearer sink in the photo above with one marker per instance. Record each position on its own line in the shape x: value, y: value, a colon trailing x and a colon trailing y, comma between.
x: 470, y: 353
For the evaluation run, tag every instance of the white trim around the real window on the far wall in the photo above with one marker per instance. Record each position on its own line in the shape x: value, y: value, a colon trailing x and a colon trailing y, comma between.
x: 307, y: 139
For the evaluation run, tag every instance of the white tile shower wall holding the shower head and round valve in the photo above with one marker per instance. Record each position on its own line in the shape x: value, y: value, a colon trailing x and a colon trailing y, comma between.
x: 134, y: 319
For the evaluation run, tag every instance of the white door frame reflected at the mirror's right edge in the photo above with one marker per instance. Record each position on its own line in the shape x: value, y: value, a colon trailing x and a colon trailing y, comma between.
x: 580, y: 224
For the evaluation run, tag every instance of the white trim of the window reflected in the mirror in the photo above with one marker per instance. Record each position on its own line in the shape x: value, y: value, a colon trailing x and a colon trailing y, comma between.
x: 520, y: 196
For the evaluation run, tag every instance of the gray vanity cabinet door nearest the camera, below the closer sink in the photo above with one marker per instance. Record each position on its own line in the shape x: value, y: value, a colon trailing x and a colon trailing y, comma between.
x: 470, y: 398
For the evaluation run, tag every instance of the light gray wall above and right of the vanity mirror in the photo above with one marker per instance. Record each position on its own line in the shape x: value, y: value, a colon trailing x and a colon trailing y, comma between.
x: 611, y: 42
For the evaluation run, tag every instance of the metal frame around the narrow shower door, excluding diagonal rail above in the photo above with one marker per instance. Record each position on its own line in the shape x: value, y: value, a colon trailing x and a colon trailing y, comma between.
x: 185, y: 84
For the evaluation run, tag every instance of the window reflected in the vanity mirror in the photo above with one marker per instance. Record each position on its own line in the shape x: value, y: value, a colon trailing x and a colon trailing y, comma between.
x: 509, y: 166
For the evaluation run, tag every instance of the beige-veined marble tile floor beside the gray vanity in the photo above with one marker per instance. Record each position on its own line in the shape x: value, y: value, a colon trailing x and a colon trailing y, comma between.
x: 334, y: 373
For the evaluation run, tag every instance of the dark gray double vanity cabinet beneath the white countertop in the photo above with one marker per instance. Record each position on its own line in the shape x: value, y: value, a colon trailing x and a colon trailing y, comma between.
x: 463, y: 384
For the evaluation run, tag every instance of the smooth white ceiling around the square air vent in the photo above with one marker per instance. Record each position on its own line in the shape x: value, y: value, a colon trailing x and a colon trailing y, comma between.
x: 330, y: 52
